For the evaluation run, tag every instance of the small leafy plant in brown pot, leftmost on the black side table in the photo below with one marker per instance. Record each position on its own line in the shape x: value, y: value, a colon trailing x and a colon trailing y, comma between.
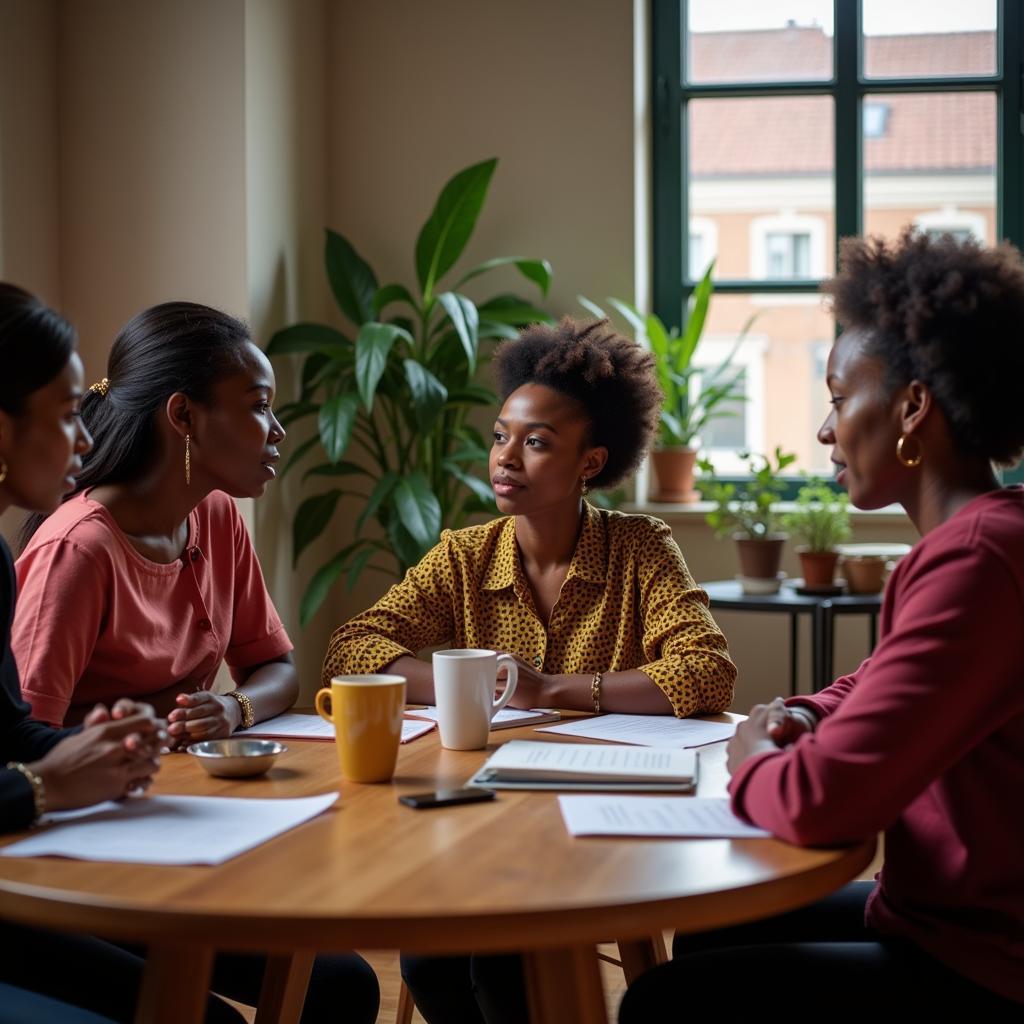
x: 747, y: 510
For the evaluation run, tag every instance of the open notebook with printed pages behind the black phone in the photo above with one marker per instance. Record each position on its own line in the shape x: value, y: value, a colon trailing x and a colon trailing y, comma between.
x: 531, y: 765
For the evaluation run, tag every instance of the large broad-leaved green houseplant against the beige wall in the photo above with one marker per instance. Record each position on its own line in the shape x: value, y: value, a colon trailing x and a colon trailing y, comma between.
x: 392, y: 399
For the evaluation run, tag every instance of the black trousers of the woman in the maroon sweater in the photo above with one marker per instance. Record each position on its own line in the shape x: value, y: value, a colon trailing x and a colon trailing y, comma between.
x: 812, y: 964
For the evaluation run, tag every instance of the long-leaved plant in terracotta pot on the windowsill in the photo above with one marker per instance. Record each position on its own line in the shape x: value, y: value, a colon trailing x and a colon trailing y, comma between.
x: 688, y: 408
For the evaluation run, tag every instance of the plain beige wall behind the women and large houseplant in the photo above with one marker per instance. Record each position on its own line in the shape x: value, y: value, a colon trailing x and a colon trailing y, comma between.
x: 196, y: 149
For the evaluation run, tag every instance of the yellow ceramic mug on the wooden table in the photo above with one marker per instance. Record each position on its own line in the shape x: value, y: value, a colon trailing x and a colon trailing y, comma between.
x: 367, y: 715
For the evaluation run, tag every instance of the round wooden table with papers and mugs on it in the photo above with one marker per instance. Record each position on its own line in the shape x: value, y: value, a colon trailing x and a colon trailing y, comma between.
x: 373, y: 874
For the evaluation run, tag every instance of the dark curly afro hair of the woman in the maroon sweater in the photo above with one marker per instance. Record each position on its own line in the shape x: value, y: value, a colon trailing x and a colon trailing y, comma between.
x: 949, y: 314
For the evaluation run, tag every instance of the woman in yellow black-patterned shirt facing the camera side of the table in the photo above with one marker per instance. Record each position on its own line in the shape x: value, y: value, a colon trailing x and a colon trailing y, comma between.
x: 599, y: 608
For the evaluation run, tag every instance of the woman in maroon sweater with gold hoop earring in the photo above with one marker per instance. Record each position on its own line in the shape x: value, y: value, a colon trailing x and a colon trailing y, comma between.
x: 926, y: 740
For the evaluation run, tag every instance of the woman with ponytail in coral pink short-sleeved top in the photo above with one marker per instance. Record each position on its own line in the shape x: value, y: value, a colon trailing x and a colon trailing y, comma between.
x: 146, y: 579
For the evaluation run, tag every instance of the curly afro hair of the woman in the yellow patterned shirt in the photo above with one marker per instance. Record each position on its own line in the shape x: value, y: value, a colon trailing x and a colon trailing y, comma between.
x: 610, y: 376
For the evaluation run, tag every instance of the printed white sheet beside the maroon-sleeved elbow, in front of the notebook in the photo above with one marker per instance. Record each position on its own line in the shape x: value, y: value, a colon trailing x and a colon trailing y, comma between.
x: 681, y: 818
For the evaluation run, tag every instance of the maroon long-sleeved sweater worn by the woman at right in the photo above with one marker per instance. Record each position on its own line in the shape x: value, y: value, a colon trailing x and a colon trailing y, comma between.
x: 926, y: 743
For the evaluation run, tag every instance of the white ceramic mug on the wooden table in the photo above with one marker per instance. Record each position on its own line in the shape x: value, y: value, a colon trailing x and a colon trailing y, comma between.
x: 464, y: 691
